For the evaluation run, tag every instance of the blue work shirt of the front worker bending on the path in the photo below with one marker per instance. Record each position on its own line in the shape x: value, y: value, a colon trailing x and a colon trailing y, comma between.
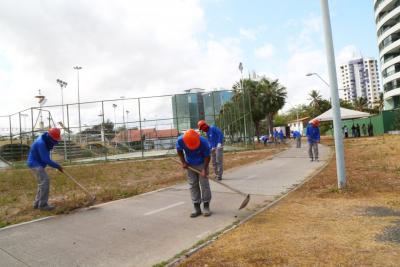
x: 194, y: 157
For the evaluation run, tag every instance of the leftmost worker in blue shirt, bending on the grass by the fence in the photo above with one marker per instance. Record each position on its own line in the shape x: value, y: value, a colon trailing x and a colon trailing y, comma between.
x: 38, y: 159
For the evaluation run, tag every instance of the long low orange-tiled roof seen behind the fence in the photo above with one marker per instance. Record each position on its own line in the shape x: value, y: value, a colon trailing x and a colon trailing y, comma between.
x: 151, y: 133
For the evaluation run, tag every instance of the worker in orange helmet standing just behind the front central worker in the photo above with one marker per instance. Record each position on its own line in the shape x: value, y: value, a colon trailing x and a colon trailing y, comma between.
x: 216, y: 139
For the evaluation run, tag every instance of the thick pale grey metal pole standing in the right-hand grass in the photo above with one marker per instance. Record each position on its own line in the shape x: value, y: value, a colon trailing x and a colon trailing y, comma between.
x: 330, y: 55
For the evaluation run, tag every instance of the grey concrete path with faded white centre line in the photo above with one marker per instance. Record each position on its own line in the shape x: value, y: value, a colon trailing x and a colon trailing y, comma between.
x: 153, y: 227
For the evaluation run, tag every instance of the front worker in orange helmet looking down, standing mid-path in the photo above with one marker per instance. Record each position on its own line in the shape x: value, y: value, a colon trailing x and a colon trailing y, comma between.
x: 194, y: 151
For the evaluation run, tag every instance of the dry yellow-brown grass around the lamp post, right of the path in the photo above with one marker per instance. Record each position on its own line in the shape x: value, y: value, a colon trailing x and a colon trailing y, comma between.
x: 319, y: 226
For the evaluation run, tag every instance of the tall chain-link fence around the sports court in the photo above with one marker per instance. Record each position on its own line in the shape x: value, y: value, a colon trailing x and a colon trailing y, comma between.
x: 126, y: 128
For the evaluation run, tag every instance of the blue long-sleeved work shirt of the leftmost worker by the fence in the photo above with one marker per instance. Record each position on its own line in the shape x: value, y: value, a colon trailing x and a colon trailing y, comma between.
x: 39, y: 154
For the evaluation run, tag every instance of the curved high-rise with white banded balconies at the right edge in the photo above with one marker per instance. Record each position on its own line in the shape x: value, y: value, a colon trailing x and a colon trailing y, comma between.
x: 387, y: 15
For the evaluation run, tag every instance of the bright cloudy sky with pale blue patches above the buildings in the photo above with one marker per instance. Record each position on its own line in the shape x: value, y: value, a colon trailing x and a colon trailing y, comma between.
x: 135, y: 48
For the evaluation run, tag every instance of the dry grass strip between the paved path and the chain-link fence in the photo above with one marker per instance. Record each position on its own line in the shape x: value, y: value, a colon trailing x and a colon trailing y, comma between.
x: 109, y: 181
